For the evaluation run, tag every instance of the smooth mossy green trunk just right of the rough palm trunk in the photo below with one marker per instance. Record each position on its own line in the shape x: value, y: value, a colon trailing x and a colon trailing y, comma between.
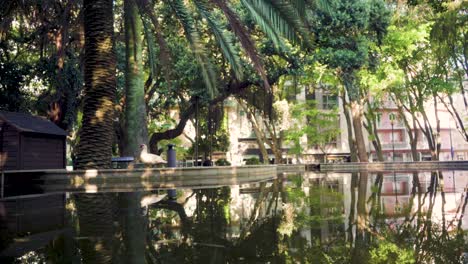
x: 136, y: 132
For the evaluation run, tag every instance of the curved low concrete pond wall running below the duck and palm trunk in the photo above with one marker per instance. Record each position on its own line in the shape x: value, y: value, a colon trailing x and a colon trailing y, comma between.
x: 114, y: 180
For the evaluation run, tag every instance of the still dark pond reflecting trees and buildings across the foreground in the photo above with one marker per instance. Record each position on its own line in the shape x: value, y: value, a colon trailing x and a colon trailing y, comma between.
x: 393, y: 217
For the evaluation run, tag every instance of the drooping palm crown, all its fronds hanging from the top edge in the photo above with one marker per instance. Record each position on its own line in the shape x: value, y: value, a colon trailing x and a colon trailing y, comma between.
x: 275, y: 18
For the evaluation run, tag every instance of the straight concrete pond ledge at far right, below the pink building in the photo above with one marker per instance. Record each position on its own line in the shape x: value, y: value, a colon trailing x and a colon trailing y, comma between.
x: 394, y: 166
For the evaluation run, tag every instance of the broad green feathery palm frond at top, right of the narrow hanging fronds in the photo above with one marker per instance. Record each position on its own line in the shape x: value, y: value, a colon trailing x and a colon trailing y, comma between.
x: 285, y: 17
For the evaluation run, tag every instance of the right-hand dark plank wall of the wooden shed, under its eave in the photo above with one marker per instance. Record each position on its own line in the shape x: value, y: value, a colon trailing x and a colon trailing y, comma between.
x: 42, y: 152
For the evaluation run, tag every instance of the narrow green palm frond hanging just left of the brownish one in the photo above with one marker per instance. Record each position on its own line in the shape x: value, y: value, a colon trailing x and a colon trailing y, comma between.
x: 224, y: 41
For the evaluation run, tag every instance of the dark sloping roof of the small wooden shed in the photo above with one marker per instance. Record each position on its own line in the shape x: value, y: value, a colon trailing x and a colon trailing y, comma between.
x: 29, y: 123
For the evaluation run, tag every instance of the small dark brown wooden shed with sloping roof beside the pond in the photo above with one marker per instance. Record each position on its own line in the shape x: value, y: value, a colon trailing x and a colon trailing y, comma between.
x: 29, y: 143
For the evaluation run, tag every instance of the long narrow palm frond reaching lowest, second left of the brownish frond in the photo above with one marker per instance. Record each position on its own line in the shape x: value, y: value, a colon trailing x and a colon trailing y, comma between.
x: 193, y: 37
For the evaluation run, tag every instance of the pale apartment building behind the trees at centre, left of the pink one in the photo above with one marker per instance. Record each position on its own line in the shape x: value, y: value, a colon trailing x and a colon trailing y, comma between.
x: 244, y: 145
